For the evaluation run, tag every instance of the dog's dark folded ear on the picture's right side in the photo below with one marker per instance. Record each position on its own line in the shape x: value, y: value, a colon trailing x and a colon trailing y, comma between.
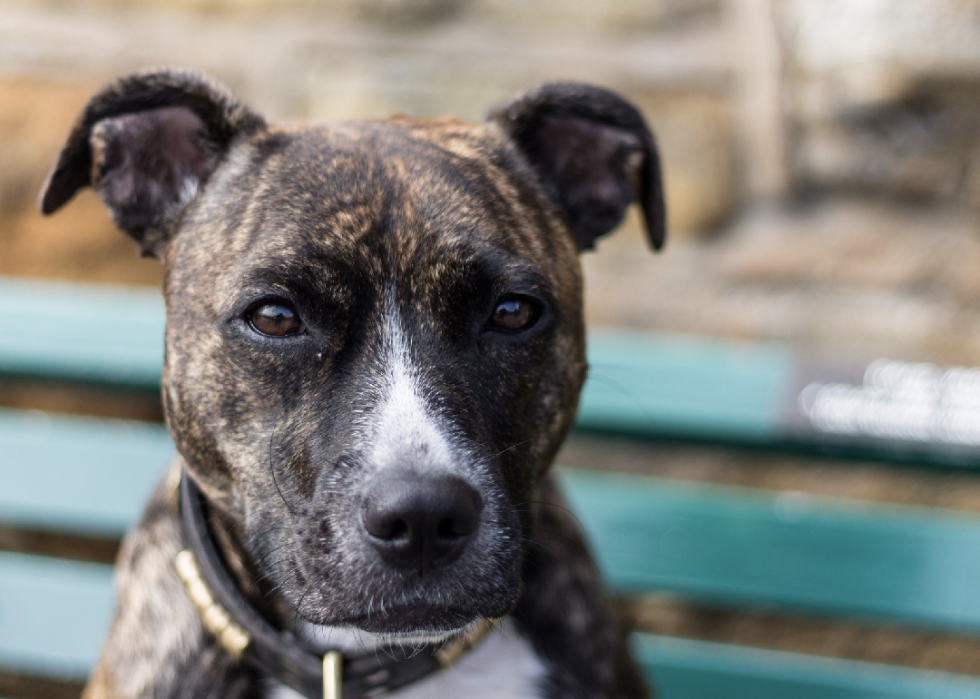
x: 593, y: 153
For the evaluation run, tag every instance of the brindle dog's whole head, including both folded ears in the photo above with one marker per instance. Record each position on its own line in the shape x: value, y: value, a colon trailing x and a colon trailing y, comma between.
x: 374, y: 341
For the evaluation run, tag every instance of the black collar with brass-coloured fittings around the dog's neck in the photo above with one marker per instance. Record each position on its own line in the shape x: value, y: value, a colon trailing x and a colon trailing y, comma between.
x: 244, y: 633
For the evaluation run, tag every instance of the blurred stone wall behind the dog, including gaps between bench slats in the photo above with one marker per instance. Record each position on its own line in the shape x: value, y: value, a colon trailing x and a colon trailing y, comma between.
x: 822, y: 168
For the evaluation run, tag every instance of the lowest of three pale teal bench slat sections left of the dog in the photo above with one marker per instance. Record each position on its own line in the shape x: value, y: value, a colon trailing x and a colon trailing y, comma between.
x: 53, y: 614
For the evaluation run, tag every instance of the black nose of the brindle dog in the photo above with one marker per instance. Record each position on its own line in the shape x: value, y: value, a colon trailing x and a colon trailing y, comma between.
x: 422, y: 522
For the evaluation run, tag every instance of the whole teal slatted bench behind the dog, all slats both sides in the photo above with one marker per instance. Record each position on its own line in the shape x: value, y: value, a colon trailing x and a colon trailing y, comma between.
x: 86, y: 479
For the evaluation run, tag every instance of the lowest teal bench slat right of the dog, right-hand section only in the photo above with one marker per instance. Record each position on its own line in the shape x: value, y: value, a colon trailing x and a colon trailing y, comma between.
x: 685, y: 669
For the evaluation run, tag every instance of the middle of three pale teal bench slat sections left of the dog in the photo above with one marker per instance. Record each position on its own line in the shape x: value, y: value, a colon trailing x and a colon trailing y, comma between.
x: 83, y: 475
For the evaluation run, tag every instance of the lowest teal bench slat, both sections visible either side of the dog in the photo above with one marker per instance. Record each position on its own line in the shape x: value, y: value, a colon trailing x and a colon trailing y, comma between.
x: 54, y: 613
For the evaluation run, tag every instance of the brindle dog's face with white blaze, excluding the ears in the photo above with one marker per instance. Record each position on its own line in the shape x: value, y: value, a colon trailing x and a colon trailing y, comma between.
x: 360, y: 312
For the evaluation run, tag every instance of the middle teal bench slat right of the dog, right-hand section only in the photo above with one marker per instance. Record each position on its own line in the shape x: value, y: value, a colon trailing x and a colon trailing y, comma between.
x: 739, y: 546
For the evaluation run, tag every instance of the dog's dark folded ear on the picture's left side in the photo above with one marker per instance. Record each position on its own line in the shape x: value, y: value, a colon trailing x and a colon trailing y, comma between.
x: 147, y: 143
